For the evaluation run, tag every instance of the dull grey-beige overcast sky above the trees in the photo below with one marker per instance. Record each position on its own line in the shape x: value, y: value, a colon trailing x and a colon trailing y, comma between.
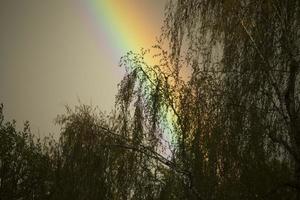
x: 51, y: 55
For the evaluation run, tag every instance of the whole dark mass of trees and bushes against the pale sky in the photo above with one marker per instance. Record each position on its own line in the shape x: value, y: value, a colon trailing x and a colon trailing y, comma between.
x: 226, y: 86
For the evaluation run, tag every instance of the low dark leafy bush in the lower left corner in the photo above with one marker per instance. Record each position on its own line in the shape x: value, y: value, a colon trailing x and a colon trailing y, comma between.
x: 25, y: 167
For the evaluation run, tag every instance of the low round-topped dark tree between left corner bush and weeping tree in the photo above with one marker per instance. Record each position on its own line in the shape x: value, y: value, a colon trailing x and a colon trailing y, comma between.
x: 98, y: 159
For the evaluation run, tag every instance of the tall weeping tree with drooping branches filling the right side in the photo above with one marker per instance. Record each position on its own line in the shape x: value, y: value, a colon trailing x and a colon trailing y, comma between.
x: 236, y: 116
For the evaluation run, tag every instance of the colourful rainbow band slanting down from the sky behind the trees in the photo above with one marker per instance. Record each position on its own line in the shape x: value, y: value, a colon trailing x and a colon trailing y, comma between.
x: 120, y: 27
